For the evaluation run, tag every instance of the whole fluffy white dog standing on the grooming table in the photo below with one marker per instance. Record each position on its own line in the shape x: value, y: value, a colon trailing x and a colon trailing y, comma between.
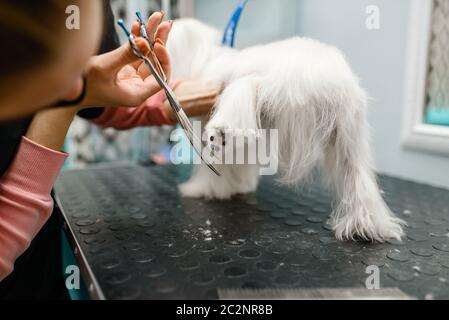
x: 307, y: 91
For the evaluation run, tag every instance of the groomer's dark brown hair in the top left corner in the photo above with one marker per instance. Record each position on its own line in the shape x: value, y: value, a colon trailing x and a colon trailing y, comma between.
x: 29, y: 33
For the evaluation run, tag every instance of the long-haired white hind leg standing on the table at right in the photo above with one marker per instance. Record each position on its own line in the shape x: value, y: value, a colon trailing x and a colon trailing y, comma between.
x: 361, y: 212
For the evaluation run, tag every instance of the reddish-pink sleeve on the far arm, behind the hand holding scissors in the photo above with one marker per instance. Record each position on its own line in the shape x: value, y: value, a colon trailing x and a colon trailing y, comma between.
x: 150, y: 113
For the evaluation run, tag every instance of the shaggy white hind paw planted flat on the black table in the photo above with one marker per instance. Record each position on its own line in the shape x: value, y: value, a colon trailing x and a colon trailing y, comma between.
x: 374, y: 227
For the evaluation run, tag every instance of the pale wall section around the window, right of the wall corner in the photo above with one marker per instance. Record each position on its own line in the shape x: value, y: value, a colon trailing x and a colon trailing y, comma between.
x: 379, y: 58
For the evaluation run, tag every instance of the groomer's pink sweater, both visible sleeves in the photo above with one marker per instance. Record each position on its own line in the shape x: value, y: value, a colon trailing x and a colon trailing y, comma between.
x: 25, y: 200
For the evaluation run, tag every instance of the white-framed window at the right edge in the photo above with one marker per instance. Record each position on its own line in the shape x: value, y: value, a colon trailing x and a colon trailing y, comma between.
x: 427, y: 89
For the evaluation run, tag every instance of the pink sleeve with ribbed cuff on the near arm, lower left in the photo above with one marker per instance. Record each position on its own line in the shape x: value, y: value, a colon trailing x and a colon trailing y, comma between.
x: 25, y: 200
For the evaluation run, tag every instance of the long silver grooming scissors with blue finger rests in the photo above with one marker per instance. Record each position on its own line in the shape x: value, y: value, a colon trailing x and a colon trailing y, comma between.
x: 161, y: 79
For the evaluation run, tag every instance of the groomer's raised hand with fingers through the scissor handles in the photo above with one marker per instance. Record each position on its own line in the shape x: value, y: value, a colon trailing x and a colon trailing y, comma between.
x: 118, y: 79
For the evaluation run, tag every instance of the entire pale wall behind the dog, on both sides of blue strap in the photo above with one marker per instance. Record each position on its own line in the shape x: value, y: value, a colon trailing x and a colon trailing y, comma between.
x: 378, y: 57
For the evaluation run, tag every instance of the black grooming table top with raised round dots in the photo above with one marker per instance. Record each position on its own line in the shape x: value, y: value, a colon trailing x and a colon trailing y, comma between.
x: 135, y: 238
